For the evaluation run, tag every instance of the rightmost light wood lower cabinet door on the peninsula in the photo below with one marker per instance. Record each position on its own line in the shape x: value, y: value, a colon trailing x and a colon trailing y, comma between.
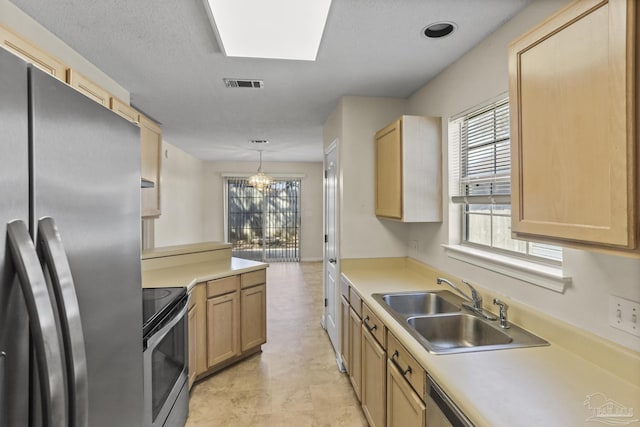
x: 254, y: 317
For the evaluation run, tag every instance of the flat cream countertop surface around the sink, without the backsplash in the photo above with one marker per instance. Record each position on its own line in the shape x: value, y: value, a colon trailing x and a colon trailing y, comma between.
x: 540, y: 386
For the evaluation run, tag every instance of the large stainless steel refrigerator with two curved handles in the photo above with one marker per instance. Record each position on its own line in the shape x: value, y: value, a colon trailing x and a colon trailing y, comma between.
x: 70, y: 281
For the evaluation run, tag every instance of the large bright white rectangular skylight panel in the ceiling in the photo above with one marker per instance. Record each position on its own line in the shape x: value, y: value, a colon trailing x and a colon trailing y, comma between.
x: 279, y: 29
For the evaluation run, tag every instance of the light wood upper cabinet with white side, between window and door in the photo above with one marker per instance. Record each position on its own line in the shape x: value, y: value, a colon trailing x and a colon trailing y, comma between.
x: 408, y: 171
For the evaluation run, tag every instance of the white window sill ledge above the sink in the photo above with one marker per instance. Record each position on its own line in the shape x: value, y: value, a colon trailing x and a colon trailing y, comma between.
x: 548, y: 277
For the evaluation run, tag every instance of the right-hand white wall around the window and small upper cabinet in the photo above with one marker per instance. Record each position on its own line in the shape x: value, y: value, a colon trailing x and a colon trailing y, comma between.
x: 480, y: 75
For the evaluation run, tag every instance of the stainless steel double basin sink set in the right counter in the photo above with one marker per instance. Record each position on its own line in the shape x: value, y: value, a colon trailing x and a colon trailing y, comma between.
x: 440, y: 324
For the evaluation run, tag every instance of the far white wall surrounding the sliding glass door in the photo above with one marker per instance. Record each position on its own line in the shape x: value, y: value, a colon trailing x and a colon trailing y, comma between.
x: 311, y: 200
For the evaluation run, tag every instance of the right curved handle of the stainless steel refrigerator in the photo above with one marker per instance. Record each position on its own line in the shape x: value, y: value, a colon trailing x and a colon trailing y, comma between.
x: 50, y: 247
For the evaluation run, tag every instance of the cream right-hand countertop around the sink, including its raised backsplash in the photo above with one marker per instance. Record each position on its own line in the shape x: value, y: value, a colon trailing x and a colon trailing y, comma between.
x: 538, y: 386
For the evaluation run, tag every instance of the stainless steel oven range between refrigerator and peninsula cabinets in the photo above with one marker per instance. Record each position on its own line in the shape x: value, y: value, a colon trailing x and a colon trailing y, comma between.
x: 166, y: 393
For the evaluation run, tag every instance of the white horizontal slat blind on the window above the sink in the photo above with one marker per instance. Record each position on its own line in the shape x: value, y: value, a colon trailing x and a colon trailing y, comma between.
x: 484, y: 156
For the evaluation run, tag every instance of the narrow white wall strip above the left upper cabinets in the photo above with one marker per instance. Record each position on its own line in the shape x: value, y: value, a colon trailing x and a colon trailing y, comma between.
x: 24, y: 25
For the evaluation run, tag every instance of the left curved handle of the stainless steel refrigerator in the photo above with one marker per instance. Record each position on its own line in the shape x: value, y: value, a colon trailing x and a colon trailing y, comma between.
x: 46, y: 339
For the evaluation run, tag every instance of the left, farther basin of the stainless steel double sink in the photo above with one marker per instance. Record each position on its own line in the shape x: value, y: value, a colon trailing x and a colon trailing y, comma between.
x: 415, y: 303
